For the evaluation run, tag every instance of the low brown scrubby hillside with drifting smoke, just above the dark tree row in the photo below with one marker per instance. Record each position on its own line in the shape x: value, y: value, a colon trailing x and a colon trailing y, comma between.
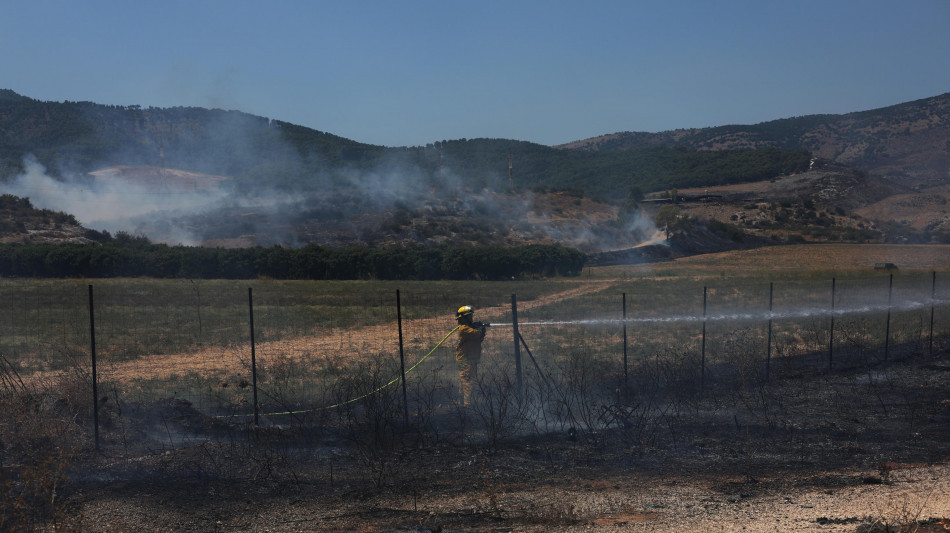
x: 826, y: 203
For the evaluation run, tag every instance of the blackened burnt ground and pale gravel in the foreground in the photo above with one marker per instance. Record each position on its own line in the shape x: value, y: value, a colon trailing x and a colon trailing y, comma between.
x: 863, y: 449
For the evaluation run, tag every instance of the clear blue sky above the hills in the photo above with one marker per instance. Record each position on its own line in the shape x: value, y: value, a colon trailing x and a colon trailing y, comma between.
x: 406, y: 73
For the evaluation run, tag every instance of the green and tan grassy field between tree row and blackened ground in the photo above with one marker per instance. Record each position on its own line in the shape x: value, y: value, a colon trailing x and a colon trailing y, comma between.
x: 191, y: 339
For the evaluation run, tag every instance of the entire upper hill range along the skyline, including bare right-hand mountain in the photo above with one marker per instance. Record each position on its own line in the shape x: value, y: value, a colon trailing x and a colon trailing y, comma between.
x: 905, y: 143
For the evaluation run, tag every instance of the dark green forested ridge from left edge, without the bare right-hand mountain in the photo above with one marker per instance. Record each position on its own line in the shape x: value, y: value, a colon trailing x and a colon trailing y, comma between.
x: 81, y: 137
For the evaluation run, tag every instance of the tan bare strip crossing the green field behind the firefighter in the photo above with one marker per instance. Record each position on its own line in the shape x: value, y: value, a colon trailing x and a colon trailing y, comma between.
x: 782, y: 261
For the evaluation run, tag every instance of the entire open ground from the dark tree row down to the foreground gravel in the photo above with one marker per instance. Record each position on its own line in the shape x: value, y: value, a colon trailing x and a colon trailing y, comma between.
x: 782, y: 389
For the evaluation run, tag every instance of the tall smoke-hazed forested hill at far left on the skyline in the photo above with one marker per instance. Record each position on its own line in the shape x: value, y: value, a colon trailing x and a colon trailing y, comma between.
x: 83, y: 136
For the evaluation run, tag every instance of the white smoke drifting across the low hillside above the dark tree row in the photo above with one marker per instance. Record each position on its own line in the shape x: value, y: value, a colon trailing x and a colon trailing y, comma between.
x: 345, y: 206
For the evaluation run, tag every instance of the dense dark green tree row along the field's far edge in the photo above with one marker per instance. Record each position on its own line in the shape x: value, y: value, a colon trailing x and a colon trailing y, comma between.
x: 136, y: 258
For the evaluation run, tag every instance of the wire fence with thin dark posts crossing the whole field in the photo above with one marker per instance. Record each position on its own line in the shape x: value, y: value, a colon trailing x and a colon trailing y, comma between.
x: 279, y: 353
